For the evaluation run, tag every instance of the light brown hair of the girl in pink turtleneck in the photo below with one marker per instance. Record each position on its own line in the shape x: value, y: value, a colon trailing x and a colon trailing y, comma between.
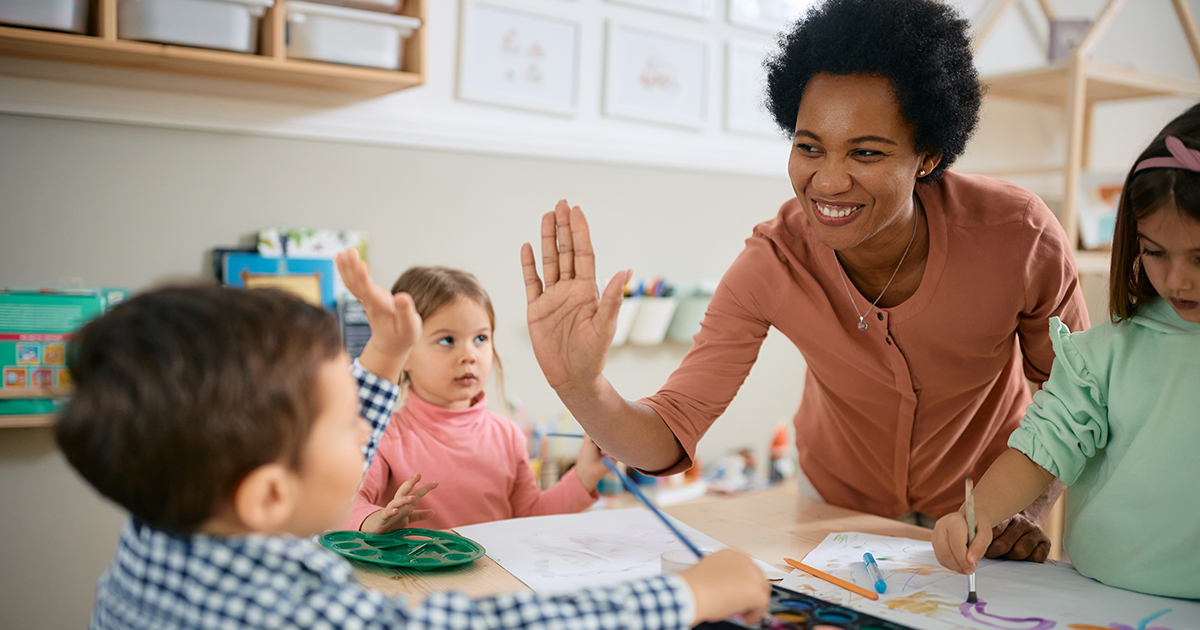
x: 434, y: 287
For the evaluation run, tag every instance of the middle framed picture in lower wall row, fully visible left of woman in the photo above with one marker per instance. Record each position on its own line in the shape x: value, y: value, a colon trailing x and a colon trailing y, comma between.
x: 657, y: 77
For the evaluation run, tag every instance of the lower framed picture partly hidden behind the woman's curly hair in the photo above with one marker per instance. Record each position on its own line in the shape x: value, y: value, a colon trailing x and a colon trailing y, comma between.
x: 746, y: 91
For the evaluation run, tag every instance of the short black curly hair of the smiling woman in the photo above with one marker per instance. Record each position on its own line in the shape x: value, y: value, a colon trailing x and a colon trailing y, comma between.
x: 921, y: 46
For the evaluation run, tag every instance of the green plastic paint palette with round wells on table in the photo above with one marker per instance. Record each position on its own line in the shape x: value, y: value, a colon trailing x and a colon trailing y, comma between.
x: 410, y: 549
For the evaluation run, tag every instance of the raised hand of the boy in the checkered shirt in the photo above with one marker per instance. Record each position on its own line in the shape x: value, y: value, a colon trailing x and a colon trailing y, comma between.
x: 394, y: 322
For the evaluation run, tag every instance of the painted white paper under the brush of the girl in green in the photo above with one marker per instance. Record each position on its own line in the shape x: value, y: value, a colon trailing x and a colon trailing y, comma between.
x: 1013, y: 596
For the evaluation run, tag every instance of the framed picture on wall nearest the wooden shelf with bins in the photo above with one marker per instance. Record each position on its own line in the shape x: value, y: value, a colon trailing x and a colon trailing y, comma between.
x: 518, y: 59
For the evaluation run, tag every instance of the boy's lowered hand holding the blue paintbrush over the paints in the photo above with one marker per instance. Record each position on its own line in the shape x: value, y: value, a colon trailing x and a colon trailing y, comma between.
x: 728, y: 584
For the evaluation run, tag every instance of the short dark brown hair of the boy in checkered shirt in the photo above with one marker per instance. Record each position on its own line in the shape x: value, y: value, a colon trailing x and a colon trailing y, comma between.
x: 181, y: 393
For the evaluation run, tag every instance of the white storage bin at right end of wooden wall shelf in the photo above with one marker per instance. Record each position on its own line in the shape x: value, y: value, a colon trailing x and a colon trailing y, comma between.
x: 326, y: 33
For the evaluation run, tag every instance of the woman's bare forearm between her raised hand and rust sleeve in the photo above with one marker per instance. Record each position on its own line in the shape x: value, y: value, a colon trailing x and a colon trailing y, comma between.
x: 631, y: 433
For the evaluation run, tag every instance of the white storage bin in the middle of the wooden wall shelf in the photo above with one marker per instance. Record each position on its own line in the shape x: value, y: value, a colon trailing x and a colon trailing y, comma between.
x: 225, y: 25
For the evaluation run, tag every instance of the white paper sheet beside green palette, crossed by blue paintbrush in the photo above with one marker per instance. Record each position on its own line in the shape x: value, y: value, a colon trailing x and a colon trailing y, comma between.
x: 574, y: 551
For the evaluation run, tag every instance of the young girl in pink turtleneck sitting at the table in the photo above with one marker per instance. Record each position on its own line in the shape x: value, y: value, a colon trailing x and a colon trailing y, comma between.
x: 478, y: 460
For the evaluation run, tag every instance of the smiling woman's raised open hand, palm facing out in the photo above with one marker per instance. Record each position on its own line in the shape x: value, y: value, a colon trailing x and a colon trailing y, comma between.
x: 571, y: 323
